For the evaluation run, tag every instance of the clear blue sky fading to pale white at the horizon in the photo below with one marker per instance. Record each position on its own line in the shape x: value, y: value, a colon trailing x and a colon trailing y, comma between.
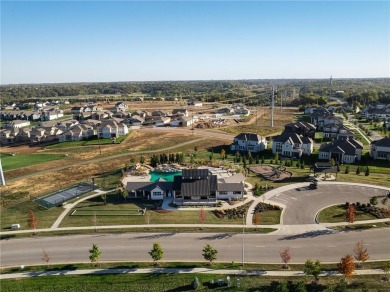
x: 104, y: 41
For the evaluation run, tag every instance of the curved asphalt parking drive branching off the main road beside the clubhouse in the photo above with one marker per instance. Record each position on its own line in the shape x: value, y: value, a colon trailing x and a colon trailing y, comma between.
x: 303, y: 203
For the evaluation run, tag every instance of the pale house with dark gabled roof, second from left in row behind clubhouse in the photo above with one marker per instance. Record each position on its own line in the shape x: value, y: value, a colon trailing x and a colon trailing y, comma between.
x: 292, y: 145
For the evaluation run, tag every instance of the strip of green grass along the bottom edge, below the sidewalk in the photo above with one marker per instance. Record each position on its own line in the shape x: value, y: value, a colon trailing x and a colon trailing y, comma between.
x: 182, y: 282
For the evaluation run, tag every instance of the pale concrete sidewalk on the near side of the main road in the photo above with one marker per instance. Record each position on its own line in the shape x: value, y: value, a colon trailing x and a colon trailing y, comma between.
x: 178, y: 271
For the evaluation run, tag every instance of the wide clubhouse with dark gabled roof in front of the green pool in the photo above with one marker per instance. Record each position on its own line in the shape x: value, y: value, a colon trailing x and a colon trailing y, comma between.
x: 192, y: 187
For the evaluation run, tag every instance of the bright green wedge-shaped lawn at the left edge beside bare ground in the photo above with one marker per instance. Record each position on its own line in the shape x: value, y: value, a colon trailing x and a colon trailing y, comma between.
x: 10, y: 162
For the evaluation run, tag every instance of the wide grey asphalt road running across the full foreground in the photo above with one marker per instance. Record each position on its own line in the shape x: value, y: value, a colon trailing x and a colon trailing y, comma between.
x: 325, y: 246
